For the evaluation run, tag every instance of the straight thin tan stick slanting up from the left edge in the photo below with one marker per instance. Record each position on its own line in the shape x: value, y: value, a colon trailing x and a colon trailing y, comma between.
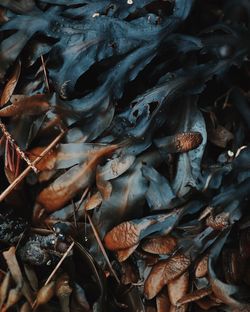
x: 7, y: 191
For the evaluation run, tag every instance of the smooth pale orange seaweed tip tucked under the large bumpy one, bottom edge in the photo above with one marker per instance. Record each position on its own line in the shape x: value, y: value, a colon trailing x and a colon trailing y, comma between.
x: 178, y: 287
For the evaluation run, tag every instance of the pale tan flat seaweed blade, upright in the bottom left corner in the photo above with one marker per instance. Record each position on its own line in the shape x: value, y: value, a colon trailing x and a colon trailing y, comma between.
x: 10, y: 257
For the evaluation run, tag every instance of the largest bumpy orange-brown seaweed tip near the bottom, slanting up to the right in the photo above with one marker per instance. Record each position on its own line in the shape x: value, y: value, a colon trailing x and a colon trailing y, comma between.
x: 163, y: 272
